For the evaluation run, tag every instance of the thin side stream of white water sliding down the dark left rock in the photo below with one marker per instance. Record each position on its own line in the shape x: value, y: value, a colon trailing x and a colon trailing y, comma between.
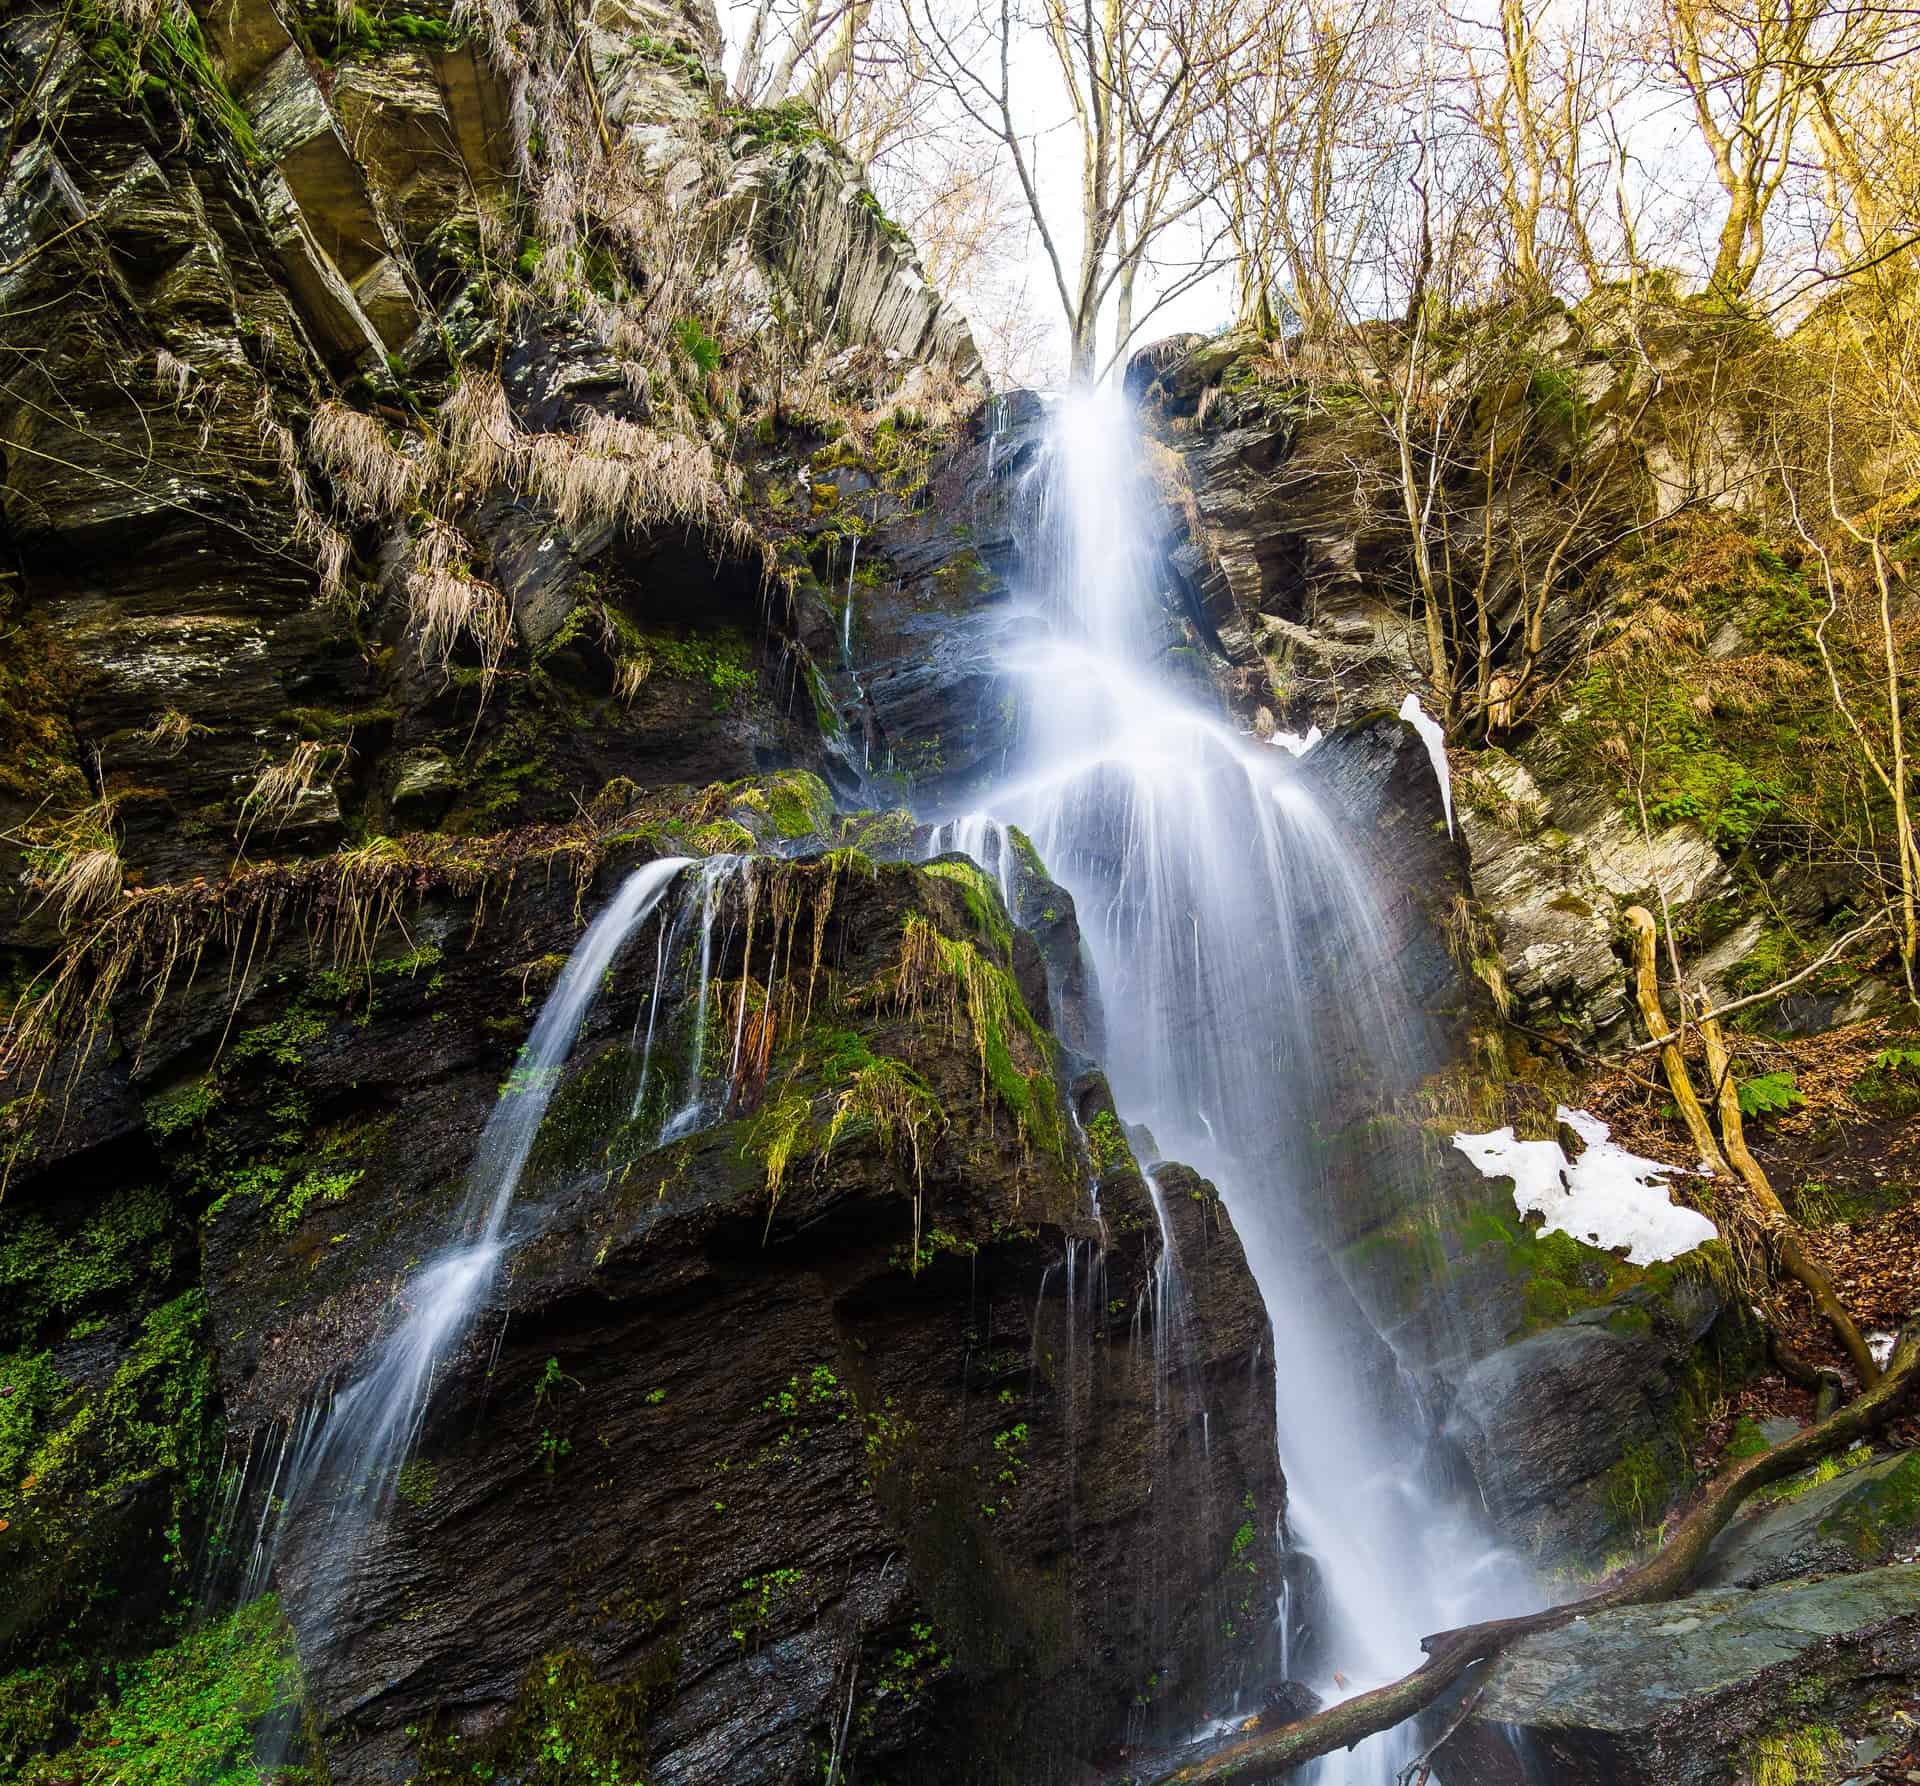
x: 350, y: 1451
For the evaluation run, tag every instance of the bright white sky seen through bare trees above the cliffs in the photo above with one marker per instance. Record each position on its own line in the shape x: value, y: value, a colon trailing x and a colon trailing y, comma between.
x: 1562, y: 147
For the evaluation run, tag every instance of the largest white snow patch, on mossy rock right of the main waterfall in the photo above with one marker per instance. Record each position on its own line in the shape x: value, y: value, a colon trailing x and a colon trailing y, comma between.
x: 1608, y: 1197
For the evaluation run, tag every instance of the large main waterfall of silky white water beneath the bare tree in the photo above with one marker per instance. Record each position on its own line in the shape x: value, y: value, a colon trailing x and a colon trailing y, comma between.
x: 1239, y: 953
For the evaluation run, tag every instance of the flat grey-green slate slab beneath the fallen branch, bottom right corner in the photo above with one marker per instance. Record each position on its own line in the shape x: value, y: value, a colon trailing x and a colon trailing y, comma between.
x: 1685, y: 1693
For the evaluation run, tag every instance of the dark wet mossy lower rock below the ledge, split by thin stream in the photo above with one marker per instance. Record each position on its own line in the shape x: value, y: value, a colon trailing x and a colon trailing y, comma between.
x: 848, y: 1399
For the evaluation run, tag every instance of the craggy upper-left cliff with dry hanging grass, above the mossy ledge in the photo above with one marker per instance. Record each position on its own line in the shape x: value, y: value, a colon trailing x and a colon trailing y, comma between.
x: 350, y: 479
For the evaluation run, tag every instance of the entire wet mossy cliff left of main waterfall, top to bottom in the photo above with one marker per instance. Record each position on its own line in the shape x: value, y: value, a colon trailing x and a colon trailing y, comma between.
x: 439, y: 462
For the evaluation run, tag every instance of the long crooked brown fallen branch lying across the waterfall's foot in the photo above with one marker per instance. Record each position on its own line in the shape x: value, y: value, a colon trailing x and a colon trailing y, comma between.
x: 1272, y: 1754
